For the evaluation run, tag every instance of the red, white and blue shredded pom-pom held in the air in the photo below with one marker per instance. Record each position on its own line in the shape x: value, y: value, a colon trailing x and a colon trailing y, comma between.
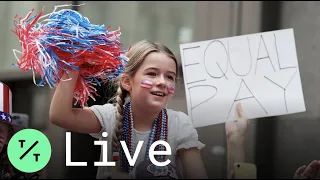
x: 67, y: 41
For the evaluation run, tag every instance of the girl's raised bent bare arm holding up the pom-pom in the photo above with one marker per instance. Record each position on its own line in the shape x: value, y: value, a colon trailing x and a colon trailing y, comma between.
x: 63, y: 115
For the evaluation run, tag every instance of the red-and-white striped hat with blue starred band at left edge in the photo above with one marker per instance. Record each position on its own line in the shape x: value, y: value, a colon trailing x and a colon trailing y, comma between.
x: 5, y: 103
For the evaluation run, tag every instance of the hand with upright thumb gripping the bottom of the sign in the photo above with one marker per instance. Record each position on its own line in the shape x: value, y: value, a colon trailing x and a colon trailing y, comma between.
x: 236, y: 130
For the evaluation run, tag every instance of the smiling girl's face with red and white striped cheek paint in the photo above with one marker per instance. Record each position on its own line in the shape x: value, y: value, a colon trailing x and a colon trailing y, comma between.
x: 154, y: 82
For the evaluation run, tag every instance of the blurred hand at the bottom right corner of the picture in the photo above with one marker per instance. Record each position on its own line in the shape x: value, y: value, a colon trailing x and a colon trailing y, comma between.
x: 308, y: 172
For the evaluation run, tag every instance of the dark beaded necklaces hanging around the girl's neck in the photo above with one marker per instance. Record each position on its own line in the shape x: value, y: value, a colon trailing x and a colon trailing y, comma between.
x: 159, y: 132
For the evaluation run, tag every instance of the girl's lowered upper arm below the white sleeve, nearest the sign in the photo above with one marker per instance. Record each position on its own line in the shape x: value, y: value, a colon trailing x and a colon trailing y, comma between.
x: 192, y: 164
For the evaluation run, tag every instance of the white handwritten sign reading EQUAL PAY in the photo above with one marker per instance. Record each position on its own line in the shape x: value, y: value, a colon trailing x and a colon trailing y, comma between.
x: 260, y: 71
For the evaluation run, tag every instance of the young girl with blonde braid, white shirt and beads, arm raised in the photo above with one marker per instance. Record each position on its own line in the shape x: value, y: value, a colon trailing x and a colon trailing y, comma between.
x: 144, y: 89
